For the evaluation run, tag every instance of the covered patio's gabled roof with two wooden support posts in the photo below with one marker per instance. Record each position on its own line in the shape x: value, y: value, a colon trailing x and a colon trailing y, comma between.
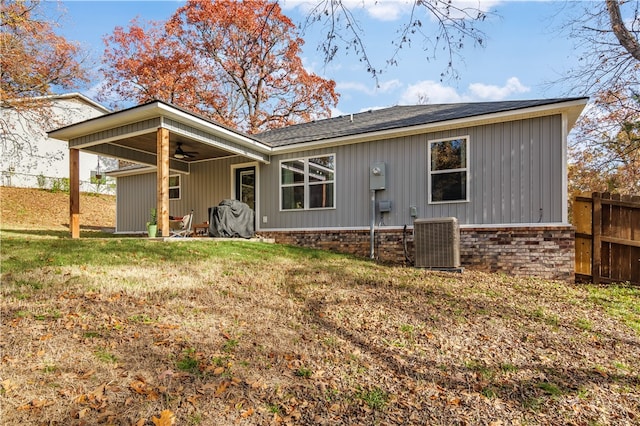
x: 155, y: 135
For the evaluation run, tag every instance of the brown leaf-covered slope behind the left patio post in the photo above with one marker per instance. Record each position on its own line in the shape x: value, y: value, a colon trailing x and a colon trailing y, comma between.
x: 43, y: 209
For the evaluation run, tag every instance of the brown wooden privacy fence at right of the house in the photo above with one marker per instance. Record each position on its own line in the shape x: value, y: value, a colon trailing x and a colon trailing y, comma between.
x: 607, y: 238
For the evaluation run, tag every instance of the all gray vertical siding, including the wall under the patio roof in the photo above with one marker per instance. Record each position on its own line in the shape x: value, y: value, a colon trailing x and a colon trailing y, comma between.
x: 515, y: 177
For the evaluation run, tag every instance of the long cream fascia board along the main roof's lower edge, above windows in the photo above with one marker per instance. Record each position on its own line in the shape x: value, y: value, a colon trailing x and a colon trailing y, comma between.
x: 571, y: 108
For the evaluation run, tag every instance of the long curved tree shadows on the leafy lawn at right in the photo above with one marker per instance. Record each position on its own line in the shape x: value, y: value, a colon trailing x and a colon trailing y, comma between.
x: 545, y: 383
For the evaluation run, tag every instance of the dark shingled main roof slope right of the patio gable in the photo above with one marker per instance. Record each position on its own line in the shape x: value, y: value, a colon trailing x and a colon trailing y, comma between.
x: 391, y: 118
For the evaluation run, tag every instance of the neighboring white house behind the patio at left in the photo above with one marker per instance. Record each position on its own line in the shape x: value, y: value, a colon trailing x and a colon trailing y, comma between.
x: 31, y: 159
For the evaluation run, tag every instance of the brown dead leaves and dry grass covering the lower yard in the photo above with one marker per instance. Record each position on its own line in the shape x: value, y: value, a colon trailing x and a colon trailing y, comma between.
x: 434, y: 355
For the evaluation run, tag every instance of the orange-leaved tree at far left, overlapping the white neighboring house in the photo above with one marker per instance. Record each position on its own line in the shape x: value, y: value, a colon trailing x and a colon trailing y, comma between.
x: 34, y: 62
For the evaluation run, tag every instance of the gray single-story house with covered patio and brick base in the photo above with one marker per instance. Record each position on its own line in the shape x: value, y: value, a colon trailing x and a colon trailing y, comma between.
x: 500, y: 168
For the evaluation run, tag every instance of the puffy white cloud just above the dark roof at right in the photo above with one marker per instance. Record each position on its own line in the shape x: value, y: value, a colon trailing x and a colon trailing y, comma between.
x: 436, y: 93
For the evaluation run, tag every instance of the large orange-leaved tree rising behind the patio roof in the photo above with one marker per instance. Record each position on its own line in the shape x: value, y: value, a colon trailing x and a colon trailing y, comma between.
x: 234, y: 62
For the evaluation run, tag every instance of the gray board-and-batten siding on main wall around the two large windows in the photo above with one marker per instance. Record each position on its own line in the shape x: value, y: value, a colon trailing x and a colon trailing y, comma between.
x: 515, y: 177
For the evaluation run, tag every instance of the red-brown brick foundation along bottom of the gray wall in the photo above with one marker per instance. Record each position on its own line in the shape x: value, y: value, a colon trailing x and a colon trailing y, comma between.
x: 540, y: 251
